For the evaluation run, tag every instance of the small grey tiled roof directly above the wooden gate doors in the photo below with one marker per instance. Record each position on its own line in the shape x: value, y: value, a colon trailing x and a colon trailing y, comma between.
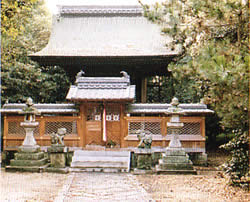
x: 102, y: 88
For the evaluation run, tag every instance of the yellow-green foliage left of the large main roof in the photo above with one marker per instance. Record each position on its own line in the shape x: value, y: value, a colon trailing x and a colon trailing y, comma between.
x: 26, y: 29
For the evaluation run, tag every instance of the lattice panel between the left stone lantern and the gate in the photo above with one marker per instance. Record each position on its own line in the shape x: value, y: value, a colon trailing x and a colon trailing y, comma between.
x: 52, y: 127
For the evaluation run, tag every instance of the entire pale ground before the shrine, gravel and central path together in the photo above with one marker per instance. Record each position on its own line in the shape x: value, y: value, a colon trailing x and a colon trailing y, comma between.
x: 71, y: 187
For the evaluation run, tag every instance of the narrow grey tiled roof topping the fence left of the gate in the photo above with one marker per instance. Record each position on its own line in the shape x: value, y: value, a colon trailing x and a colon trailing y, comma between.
x: 43, y: 108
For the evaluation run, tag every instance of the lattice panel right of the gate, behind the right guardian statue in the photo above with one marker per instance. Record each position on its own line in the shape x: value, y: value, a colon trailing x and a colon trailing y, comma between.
x: 153, y: 127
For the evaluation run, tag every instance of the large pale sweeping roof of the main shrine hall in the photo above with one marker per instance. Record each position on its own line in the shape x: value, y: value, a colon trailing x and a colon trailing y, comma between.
x: 104, y: 30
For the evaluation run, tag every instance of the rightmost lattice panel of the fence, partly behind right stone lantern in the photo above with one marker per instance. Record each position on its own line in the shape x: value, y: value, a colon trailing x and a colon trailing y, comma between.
x: 192, y: 128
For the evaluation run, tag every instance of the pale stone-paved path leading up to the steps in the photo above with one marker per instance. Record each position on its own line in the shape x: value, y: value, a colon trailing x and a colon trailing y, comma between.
x: 102, y: 187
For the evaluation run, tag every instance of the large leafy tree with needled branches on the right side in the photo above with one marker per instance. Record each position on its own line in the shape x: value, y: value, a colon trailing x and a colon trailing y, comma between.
x: 212, y: 38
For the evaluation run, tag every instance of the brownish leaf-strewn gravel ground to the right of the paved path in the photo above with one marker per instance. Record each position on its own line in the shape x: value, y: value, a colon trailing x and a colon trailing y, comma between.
x: 182, y: 188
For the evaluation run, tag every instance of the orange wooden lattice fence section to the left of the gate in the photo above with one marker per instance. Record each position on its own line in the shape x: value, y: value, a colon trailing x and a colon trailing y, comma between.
x: 14, y: 134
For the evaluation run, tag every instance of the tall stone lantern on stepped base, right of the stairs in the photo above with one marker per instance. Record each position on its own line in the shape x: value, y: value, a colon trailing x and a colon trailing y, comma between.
x: 175, y: 160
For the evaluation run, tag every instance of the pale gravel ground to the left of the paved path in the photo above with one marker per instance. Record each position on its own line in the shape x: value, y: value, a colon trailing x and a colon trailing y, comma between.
x: 30, y: 186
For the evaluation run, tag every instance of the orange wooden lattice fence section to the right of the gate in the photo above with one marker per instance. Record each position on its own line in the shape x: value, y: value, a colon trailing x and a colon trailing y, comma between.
x: 192, y: 135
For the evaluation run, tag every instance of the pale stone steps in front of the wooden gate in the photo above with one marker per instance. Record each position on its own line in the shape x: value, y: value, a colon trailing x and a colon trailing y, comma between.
x: 100, y: 161
